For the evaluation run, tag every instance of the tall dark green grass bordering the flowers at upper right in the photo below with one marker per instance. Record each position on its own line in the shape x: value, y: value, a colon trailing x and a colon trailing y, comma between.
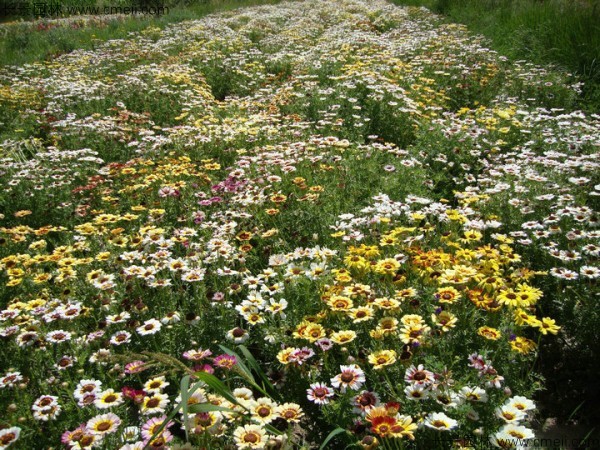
x: 561, y: 32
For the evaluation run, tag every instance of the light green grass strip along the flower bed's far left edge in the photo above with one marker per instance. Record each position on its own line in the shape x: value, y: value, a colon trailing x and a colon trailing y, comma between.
x: 25, y: 42
